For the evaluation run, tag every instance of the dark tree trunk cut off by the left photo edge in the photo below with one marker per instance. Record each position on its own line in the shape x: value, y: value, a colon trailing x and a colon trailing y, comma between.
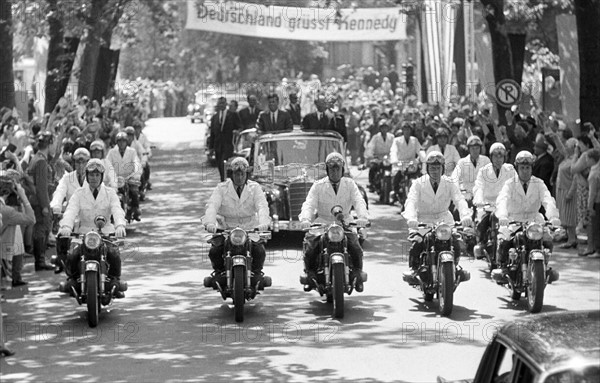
x: 7, y: 83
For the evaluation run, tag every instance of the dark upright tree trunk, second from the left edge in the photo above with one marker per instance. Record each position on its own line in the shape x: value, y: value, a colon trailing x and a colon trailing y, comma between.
x: 55, y: 50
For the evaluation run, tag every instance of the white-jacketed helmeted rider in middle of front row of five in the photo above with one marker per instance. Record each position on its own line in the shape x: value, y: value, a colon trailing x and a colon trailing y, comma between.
x: 323, y: 195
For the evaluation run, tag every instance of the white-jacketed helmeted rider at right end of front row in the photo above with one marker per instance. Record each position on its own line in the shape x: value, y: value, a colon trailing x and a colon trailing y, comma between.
x: 520, y: 200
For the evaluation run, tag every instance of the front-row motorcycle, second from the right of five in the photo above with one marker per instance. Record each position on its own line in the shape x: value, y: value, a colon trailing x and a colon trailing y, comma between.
x: 437, y: 273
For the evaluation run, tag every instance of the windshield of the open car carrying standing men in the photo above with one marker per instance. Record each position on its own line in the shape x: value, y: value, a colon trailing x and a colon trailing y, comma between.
x: 303, y: 150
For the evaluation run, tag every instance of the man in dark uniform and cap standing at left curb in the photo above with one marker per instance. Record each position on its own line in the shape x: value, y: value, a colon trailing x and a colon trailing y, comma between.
x: 41, y: 174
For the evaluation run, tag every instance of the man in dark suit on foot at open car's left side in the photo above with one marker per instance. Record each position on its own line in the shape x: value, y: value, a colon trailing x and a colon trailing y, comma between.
x: 222, y: 125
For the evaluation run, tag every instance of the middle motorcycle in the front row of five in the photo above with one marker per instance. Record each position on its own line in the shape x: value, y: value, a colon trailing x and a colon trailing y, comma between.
x: 333, y: 277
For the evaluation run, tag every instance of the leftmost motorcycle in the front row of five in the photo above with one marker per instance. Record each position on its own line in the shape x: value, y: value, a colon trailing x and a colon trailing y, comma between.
x: 95, y: 287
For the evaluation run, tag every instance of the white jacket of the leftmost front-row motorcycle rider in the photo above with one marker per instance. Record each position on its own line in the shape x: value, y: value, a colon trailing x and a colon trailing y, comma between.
x: 82, y: 205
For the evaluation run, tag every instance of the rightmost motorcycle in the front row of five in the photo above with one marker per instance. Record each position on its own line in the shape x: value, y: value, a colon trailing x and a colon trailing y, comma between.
x: 527, y: 268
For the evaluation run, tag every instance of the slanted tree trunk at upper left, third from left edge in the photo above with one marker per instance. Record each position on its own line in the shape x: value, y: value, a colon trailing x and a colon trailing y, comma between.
x: 89, y: 61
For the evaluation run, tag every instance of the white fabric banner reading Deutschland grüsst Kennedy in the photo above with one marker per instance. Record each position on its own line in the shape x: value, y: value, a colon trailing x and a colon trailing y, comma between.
x: 294, y: 23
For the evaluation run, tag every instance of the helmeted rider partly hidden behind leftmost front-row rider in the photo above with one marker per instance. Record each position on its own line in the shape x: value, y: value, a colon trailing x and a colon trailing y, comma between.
x: 67, y: 185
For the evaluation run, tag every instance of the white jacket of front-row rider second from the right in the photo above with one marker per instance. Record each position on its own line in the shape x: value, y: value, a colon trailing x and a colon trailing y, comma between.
x: 423, y: 205
